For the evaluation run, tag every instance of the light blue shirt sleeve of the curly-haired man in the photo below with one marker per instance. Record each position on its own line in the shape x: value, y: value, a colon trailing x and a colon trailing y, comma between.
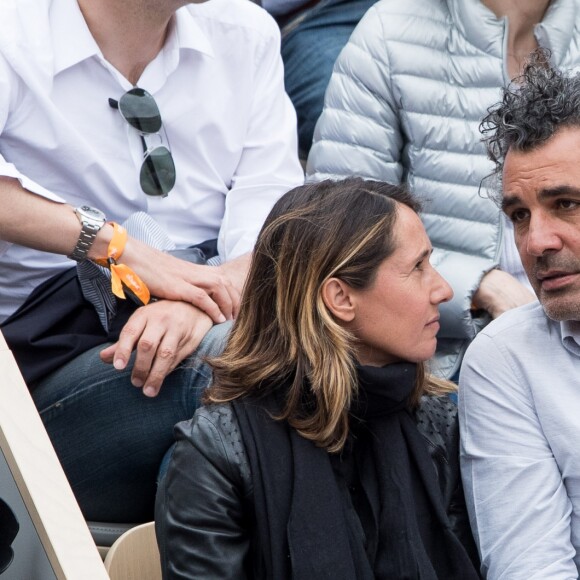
x: 517, y: 502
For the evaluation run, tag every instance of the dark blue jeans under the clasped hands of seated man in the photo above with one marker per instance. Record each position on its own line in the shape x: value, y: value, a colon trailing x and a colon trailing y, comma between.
x: 109, y: 437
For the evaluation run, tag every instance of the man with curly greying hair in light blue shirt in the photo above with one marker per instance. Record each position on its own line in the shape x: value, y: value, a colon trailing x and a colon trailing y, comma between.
x: 519, y: 399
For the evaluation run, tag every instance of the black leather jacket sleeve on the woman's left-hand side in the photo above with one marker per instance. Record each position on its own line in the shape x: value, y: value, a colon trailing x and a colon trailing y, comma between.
x: 207, y: 538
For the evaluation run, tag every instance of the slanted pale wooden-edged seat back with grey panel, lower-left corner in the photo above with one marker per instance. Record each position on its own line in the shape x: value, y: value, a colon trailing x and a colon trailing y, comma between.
x: 52, y: 539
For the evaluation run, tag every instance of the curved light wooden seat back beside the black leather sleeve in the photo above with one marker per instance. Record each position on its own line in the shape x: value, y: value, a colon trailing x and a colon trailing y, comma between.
x: 134, y: 555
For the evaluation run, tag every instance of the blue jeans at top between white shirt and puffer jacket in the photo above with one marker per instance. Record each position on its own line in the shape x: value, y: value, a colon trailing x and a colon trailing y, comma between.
x: 311, y: 42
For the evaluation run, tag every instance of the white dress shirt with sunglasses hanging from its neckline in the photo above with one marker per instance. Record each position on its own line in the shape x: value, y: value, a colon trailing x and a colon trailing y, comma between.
x: 219, y: 86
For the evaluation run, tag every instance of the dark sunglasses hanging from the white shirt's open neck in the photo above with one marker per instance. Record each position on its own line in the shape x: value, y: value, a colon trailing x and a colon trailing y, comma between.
x: 139, y: 109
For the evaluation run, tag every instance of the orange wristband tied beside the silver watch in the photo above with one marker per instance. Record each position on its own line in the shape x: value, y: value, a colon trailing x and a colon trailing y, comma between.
x: 123, y: 279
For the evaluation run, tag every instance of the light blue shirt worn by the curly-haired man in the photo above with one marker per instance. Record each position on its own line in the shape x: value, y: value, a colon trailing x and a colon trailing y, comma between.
x: 519, y: 412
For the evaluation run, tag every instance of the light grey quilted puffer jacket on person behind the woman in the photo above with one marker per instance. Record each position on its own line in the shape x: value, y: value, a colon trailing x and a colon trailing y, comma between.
x: 405, y: 102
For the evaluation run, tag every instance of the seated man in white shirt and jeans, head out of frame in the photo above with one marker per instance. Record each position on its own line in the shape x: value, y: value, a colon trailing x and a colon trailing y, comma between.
x: 78, y: 82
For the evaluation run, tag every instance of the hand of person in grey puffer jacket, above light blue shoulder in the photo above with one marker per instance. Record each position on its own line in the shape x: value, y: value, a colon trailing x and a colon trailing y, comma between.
x: 499, y: 292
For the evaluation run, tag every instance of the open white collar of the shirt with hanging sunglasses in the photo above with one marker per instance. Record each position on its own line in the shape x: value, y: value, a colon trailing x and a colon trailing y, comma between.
x: 70, y: 30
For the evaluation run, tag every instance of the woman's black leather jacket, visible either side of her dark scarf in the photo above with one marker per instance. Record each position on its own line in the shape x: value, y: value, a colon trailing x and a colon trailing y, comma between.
x: 211, y: 538
